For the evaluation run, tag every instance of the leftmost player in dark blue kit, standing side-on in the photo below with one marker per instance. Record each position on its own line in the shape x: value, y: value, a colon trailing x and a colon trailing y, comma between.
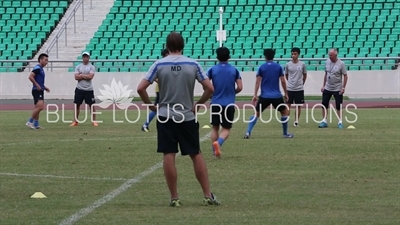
x: 37, y: 77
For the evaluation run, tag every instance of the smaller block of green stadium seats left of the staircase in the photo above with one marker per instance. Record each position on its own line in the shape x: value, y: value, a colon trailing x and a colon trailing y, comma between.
x: 25, y: 26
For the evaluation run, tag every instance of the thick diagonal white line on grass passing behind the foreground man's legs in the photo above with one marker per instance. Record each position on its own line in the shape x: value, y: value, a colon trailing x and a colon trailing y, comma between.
x: 125, y: 186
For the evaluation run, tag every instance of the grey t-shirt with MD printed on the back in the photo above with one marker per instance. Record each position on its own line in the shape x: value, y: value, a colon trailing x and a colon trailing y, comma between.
x: 176, y: 76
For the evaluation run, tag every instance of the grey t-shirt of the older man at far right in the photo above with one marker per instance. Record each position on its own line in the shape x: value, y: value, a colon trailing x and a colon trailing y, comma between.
x: 334, y: 75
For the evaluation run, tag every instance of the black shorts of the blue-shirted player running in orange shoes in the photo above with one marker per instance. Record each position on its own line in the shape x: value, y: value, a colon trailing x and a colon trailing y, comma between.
x: 222, y: 115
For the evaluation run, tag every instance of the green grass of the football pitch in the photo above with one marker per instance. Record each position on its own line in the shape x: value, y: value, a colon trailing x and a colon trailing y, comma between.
x: 322, y: 176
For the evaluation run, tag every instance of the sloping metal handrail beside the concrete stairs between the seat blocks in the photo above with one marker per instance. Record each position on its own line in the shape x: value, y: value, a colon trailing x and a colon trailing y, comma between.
x: 64, y: 26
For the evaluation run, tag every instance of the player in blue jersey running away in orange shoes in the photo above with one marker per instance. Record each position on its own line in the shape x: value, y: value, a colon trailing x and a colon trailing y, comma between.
x: 224, y: 78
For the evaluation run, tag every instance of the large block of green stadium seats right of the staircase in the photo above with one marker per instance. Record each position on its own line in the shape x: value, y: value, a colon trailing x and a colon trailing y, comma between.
x: 358, y: 28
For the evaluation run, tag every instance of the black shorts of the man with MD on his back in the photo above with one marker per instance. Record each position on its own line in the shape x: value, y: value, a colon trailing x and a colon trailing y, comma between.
x: 170, y: 134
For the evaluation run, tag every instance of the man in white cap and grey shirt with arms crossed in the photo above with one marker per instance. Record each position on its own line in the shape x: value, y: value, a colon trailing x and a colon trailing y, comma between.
x: 84, y: 74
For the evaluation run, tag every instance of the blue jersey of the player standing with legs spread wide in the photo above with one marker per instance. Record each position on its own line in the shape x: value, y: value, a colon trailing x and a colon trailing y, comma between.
x: 270, y: 73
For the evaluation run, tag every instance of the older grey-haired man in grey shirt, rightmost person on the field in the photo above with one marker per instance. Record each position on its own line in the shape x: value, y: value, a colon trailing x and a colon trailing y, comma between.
x: 335, y: 82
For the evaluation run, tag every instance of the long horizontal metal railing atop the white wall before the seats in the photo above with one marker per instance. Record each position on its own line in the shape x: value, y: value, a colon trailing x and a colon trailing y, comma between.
x: 144, y: 64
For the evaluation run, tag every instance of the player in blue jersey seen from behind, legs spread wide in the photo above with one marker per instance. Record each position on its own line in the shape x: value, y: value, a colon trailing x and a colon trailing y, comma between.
x: 268, y: 77
